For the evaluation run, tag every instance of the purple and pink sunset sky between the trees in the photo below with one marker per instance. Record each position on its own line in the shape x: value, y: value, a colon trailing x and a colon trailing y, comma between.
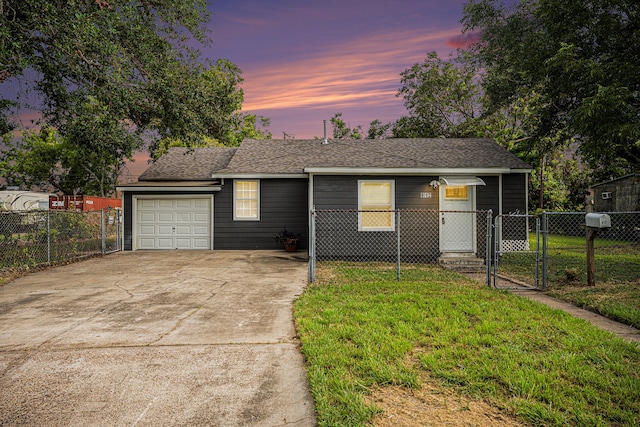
x: 304, y: 61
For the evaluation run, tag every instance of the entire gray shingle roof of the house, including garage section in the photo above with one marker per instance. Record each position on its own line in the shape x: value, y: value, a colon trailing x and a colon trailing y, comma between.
x: 290, y: 156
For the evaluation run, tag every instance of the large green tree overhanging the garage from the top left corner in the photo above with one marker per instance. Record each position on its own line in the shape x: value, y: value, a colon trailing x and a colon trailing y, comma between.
x: 115, y: 75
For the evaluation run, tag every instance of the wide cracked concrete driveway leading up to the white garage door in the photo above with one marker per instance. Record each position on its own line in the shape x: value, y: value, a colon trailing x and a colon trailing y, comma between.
x: 155, y: 338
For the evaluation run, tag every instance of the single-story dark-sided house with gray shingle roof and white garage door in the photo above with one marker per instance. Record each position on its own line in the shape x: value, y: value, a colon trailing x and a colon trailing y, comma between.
x: 239, y: 198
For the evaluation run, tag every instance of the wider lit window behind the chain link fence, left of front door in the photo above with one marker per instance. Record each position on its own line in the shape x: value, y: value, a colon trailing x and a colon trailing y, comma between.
x: 376, y: 202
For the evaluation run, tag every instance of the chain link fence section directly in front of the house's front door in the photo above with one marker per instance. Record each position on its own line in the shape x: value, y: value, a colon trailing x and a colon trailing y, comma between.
x: 399, y: 237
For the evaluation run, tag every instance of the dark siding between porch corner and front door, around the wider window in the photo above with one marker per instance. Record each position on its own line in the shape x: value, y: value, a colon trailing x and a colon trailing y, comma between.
x: 340, y: 230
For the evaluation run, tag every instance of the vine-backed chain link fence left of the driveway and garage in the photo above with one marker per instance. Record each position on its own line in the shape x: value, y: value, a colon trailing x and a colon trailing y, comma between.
x: 41, y: 237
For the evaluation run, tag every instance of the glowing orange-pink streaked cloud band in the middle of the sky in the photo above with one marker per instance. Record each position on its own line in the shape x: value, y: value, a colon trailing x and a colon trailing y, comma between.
x: 363, y: 72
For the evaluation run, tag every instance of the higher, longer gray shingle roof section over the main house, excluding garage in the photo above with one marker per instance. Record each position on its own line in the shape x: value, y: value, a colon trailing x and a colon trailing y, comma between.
x: 292, y: 156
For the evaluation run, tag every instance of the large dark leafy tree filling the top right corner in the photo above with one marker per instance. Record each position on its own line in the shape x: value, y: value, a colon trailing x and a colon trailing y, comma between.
x: 582, y: 58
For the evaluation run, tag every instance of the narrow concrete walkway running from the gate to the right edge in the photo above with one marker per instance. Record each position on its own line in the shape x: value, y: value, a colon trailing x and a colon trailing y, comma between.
x: 623, y: 331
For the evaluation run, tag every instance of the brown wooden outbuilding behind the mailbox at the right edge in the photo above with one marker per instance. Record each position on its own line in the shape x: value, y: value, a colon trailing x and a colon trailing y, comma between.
x: 616, y: 195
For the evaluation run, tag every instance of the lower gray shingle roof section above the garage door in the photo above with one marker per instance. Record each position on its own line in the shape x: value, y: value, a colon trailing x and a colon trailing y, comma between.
x: 188, y: 164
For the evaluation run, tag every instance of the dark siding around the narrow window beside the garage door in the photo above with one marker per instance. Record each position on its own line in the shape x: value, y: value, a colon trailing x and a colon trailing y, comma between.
x: 283, y: 204
